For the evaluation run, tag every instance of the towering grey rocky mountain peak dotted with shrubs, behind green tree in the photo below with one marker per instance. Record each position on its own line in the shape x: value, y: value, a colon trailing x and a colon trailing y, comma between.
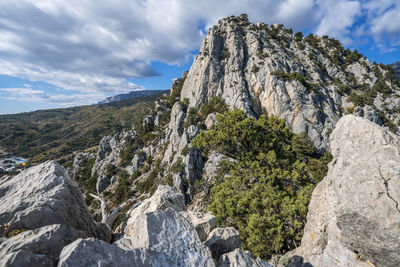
x: 309, y: 81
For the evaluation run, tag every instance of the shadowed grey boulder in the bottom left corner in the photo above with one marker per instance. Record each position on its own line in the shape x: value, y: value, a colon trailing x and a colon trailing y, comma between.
x: 37, y: 247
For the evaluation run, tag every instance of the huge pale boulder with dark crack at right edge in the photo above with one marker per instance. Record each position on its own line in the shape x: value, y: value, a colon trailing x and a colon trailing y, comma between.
x: 354, y: 216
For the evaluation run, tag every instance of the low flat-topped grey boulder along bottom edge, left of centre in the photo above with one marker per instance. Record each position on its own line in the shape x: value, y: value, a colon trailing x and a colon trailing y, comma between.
x: 94, y: 253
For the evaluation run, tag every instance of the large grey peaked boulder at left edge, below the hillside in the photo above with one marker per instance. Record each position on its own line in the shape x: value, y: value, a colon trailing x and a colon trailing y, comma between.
x: 44, y: 195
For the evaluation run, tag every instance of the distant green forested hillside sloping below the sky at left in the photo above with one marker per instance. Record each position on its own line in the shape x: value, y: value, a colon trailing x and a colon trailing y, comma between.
x: 49, y: 134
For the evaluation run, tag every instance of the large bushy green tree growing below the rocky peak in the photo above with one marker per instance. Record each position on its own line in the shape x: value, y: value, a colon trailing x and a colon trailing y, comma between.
x: 265, y: 192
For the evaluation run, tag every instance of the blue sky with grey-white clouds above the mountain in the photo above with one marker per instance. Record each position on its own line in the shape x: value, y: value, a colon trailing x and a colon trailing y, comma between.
x: 57, y: 53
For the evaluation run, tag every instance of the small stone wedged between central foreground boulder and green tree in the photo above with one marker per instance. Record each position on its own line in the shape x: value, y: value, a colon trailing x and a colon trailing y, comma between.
x: 204, y: 223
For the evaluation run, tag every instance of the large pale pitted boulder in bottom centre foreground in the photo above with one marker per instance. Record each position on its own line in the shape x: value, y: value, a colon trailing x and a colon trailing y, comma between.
x: 168, y: 232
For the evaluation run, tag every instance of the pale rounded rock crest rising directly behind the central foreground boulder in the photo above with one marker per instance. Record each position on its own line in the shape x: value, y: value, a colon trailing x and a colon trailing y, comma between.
x: 164, y: 197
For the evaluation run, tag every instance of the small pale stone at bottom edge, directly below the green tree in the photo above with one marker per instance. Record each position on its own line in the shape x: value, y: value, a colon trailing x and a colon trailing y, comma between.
x: 240, y: 258
